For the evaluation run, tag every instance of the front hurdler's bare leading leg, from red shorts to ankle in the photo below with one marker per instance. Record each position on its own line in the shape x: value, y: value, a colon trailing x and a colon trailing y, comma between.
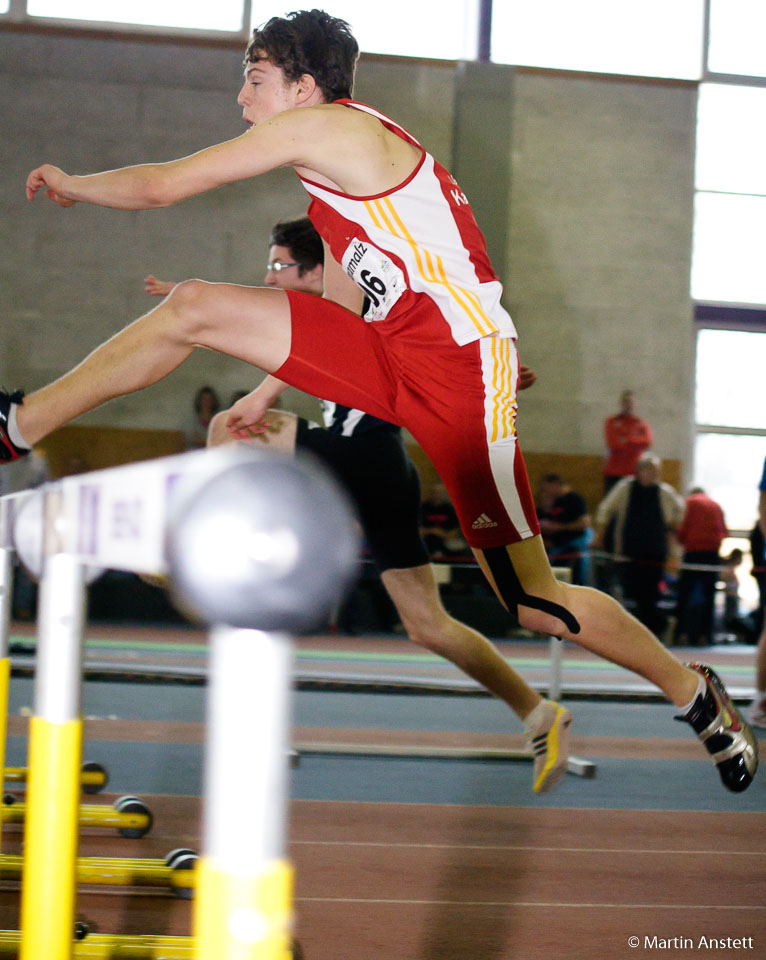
x: 250, y: 323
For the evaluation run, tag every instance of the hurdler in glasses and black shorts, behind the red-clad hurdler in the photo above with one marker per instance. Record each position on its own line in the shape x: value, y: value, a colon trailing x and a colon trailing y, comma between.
x: 368, y: 456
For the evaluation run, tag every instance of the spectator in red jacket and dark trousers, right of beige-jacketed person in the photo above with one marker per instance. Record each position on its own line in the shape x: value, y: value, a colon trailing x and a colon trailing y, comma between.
x: 701, y: 534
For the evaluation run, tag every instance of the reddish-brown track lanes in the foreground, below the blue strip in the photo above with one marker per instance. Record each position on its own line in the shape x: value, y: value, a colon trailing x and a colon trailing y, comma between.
x: 423, y: 882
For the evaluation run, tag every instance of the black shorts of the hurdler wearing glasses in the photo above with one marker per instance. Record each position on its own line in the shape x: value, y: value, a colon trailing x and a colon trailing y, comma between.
x: 376, y: 470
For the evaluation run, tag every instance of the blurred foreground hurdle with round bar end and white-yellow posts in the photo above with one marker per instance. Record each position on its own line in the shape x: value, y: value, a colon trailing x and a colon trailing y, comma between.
x: 241, y: 533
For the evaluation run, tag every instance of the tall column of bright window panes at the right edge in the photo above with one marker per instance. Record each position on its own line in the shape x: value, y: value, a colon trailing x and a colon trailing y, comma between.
x: 729, y: 253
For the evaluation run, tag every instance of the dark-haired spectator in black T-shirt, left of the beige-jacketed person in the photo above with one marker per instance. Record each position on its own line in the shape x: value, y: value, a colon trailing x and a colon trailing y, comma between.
x: 565, y: 526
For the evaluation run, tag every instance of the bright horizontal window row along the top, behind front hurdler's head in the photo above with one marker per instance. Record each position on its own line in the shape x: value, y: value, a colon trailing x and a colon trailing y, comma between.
x: 653, y: 38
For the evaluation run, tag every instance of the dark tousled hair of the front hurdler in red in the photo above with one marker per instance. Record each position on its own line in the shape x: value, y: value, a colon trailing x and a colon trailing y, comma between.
x: 312, y: 42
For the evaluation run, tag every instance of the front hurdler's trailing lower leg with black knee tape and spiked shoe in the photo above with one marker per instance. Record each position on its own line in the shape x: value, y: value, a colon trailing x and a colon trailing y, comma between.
x: 522, y: 578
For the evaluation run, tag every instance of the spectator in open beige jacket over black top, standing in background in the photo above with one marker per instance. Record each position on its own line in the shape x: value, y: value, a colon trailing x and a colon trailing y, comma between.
x: 645, y: 513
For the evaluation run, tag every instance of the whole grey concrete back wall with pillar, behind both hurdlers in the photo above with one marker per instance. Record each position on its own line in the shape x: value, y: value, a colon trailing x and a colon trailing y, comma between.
x: 585, y: 186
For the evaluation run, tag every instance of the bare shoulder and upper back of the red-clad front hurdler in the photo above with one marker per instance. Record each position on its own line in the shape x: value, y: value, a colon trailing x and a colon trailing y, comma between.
x: 353, y: 151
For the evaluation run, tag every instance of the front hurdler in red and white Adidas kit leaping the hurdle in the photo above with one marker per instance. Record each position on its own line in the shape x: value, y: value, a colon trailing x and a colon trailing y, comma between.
x: 436, y: 353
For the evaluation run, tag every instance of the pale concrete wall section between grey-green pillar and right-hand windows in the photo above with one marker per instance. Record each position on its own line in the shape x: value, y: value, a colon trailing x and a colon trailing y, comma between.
x: 599, y: 247
